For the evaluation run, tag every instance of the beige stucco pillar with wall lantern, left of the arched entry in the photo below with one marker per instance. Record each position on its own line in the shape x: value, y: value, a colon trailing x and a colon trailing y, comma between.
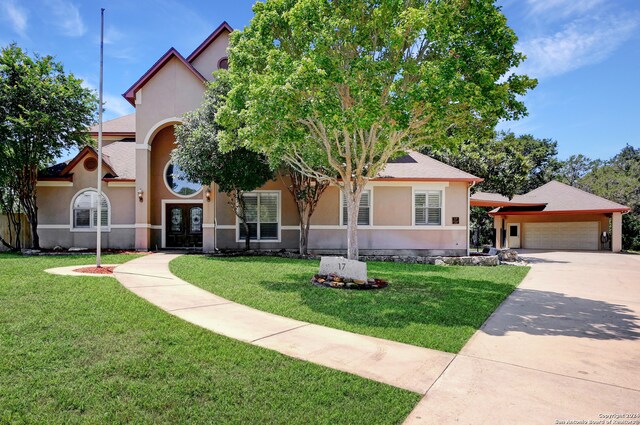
x: 143, y: 226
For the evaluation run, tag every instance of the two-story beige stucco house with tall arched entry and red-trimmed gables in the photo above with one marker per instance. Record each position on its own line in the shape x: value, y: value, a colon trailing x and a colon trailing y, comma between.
x: 417, y: 205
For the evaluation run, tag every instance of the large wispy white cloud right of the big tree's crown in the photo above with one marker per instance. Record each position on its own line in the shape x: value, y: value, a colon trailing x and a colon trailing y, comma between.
x: 577, y: 44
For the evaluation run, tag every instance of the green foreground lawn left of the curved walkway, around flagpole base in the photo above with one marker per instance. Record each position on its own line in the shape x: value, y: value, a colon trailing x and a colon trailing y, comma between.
x: 86, y: 350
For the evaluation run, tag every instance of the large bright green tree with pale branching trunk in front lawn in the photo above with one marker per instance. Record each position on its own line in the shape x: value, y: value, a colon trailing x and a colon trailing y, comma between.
x: 337, y: 88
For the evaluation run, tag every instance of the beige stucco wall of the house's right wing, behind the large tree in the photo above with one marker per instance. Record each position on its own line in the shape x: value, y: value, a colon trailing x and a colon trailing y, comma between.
x: 392, y: 230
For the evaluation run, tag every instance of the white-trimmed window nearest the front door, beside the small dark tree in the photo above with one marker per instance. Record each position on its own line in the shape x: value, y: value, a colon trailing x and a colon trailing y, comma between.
x: 263, y: 214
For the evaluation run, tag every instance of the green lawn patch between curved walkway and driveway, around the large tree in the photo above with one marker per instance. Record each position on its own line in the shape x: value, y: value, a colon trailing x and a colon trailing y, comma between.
x: 429, y: 306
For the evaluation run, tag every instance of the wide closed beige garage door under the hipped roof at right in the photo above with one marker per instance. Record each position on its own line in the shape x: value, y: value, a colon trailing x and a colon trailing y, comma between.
x: 570, y: 235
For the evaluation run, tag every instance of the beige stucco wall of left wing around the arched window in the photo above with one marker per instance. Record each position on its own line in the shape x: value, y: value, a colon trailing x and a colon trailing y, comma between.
x: 54, y: 210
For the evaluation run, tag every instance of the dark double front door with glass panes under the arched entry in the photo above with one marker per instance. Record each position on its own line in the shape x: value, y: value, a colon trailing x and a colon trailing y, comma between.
x: 183, y: 226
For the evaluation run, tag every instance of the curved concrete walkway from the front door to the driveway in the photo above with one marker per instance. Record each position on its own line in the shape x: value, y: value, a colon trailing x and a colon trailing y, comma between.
x: 401, y: 365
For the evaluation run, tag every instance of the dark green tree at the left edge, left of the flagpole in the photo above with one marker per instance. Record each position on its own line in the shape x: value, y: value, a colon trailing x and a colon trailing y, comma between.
x: 43, y: 113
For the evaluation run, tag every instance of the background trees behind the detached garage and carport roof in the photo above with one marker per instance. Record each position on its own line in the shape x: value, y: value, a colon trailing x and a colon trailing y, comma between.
x: 514, y: 165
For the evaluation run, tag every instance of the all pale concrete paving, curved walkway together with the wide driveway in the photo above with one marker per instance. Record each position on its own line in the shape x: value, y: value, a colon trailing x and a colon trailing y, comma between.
x: 565, y: 346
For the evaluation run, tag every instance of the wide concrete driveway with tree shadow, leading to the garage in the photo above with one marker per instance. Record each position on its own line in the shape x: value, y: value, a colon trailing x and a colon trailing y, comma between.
x: 565, y: 346
